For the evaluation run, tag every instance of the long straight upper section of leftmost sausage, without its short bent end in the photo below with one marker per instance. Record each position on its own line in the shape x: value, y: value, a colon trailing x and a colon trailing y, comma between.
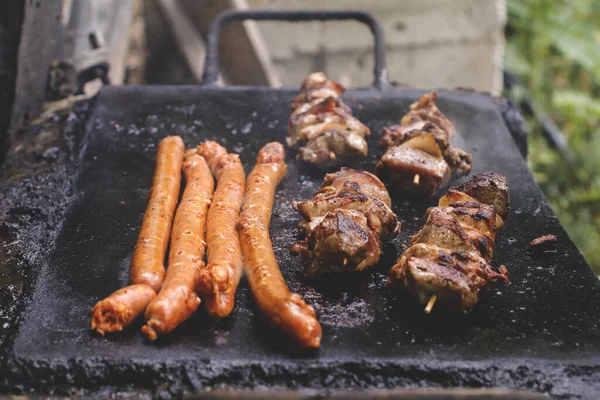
x: 147, y: 264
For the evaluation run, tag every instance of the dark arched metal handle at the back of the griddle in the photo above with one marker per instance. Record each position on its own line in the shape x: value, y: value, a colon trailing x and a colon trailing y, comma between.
x: 211, y: 65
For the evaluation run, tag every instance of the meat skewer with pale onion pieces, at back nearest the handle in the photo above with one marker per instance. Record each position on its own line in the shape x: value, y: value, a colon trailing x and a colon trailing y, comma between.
x: 322, y: 127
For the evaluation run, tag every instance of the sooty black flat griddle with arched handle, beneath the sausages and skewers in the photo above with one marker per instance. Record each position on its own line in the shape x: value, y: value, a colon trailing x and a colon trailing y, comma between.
x: 539, y: 333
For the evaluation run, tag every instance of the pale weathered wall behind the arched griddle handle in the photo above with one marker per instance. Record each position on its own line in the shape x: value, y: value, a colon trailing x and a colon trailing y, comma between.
x: 430, y: 43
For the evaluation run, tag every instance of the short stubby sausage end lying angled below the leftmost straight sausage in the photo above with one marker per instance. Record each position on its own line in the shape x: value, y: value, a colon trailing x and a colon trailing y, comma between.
x: 120, y: 308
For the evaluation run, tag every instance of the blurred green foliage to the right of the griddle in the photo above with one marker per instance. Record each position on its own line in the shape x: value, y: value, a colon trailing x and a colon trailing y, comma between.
x: 554, y: 47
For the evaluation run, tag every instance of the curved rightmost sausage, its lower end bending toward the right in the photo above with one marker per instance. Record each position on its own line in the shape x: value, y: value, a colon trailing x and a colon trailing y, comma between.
x: 284, y: 309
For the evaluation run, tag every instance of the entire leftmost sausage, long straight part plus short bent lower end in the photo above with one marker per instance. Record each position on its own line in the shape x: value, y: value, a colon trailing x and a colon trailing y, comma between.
x: 147, y: 264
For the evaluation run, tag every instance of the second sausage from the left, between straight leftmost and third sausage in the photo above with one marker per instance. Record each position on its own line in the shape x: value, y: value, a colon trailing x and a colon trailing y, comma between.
x: 177, y: 299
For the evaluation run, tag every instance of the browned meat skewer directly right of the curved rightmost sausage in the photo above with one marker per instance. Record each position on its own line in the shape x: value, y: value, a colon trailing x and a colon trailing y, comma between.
x: 345, y: 223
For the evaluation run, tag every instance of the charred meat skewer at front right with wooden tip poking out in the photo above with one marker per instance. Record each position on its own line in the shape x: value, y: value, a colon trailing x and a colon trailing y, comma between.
x: 448, y: 260
